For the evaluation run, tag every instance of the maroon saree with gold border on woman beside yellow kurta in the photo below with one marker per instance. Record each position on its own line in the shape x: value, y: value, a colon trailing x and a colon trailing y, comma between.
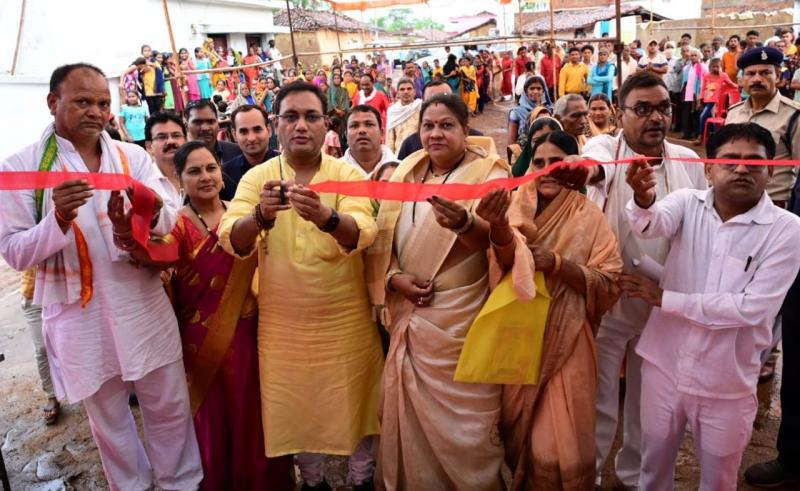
x: 218, y: 324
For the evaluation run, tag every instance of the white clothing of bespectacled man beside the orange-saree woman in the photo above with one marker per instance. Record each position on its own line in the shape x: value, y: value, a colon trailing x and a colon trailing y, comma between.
x: 621, y: 326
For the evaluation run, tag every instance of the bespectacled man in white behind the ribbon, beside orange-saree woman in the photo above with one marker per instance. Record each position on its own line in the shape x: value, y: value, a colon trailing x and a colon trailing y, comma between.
x: 645, y: 115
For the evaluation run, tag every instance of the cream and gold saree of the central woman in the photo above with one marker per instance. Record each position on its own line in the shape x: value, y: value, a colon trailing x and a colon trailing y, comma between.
x: 437, y: 434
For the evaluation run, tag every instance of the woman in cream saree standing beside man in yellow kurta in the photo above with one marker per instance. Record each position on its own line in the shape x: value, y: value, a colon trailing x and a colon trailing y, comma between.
x: 436, y: 434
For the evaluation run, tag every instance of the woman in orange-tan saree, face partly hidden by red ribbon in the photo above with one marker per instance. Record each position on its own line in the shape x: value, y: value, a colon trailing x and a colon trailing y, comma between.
x: 549, y: 427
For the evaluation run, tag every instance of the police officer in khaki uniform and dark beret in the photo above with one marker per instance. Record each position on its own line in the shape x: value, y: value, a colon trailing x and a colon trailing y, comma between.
x: 768, y: 108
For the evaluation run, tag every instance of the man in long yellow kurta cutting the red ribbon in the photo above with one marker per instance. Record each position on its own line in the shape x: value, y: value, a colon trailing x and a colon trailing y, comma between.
x: 319, y: 352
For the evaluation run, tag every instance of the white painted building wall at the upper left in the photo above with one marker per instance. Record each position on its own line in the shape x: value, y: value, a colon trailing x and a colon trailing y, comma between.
x: 106, y: 33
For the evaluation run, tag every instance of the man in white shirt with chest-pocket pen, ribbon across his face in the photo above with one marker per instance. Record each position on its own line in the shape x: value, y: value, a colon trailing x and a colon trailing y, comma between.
x: 733, y: 256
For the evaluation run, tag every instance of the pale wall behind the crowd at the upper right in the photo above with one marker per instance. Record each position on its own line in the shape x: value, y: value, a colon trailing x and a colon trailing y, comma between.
x: 724, y: 26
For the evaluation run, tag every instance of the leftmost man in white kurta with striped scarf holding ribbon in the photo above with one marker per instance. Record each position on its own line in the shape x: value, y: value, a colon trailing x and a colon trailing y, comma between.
x: 108, y: 324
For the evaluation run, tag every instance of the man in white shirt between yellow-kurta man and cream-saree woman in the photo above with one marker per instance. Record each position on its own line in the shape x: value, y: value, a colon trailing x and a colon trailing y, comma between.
x: 364, y: 132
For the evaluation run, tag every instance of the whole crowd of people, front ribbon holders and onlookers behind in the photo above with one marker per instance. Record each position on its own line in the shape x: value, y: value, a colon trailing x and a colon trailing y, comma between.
x: 296, y: 324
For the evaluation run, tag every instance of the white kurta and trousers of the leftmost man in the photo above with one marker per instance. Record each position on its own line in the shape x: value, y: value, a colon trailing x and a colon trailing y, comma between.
x: 126, y: 335
